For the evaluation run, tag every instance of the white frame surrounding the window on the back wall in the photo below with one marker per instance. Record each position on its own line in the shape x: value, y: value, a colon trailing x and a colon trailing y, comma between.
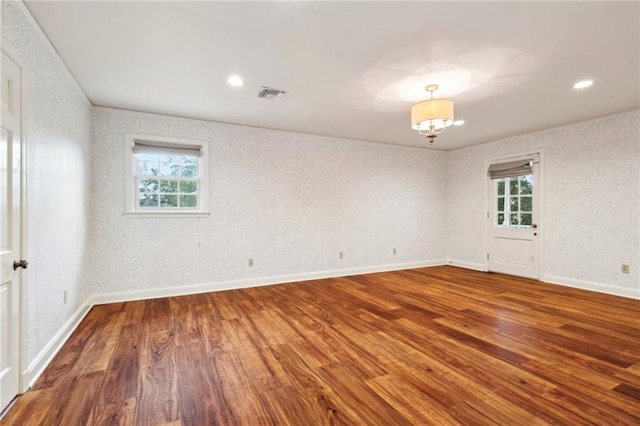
x: 131, y: 205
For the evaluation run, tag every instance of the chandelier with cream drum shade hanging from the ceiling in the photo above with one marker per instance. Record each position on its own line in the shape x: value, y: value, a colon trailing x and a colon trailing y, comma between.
x: 432, y: 117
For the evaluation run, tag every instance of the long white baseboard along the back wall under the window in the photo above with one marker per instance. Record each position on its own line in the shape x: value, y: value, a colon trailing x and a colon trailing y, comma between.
x: 126, y: 296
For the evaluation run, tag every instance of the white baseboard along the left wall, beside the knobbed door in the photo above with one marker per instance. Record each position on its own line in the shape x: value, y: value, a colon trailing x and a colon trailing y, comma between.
x: 37, y: 366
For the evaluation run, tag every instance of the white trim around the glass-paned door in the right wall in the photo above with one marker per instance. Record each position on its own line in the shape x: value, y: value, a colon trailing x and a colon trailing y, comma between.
x: 523, y: 155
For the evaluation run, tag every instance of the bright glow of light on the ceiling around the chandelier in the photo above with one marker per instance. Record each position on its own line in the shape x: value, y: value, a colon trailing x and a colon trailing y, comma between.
x: 468, y: 71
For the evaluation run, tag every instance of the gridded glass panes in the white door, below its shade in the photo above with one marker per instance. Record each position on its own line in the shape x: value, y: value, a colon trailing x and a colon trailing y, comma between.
x: 514, y: 202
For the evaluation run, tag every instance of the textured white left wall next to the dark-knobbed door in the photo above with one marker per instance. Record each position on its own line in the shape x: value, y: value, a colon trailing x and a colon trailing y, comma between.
x: 57, y: 118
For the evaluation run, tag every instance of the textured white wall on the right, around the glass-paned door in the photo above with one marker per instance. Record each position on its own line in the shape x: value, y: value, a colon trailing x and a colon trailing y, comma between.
x: 591, y: 199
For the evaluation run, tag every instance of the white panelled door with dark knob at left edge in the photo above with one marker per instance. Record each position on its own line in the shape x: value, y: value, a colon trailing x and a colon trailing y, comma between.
x: 10, y: 247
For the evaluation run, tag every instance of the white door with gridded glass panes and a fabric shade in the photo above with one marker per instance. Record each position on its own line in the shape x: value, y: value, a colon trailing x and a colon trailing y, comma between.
x: 514, y: 235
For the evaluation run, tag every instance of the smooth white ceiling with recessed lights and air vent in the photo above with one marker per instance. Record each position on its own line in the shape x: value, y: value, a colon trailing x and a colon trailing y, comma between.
x: 353, y: 69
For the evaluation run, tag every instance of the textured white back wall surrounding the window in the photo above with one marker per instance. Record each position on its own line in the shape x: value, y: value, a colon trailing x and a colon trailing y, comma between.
x: 289, y: 201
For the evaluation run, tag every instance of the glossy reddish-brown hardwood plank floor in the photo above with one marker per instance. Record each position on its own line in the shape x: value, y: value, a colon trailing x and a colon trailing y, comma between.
x: 426, y: 346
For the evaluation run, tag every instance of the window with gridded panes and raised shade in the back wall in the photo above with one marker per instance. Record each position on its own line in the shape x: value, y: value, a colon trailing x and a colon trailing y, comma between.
x: 166, y: 177
